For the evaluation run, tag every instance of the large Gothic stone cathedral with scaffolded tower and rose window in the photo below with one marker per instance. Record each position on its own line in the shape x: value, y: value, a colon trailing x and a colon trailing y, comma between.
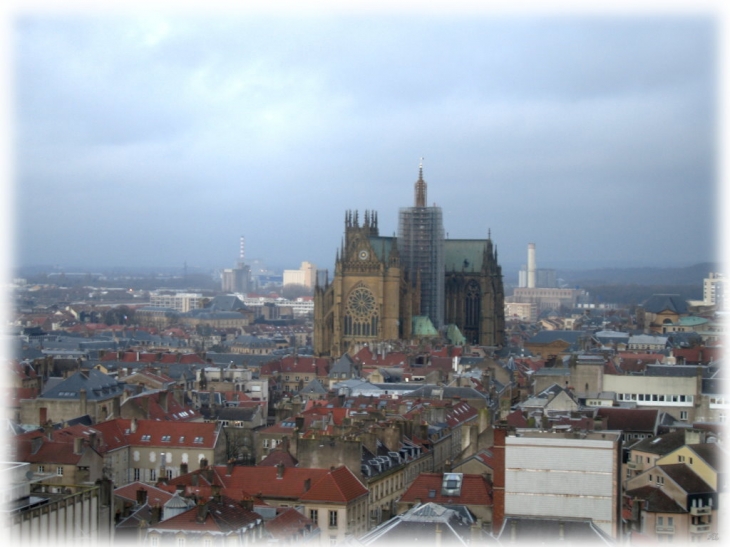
x: 382, y: 284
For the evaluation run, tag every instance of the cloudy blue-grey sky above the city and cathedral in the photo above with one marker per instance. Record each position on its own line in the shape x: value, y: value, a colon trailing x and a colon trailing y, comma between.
x: 156, y: 140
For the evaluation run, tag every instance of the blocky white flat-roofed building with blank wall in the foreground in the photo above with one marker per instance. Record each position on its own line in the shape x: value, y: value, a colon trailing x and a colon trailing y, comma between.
x: 564, y: 475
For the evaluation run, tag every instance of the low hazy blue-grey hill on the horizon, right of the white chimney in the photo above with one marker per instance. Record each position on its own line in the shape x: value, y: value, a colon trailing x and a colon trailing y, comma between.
x: 690, y: 275
